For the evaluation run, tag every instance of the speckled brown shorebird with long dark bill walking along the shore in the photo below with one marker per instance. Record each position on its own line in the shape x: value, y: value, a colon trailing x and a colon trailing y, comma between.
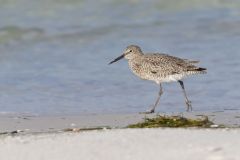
x: 160, y: 68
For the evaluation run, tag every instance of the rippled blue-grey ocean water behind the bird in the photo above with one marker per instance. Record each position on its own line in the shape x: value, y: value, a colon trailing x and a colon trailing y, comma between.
x: 54, y: 54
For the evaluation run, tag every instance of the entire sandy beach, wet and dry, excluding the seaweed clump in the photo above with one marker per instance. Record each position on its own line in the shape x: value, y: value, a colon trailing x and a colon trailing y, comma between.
x: 28, y: 137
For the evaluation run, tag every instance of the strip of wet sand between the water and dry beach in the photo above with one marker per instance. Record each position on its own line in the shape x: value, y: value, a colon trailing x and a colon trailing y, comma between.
x: 42, y: 124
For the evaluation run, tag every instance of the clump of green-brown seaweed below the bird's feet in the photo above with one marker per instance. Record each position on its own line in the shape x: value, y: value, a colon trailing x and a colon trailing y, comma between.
x: 173, y: 121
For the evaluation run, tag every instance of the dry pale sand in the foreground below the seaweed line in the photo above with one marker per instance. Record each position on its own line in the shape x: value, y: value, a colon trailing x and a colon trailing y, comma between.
x: 124, y: 144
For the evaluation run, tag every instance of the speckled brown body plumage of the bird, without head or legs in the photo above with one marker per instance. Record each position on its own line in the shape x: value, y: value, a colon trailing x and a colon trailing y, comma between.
x: 162, y: 67
